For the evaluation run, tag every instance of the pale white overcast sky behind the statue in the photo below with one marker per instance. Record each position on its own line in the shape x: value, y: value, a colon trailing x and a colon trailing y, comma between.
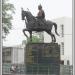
x: 53, y: 9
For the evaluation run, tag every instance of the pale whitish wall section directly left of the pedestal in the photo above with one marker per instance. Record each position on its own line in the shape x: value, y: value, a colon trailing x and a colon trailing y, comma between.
x: 18, y: 55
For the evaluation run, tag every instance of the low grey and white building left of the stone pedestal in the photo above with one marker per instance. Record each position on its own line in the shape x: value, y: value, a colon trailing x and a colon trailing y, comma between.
x: 13, y: 55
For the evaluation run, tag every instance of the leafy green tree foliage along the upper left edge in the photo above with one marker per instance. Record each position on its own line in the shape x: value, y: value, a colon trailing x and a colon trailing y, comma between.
x: 7, y: 10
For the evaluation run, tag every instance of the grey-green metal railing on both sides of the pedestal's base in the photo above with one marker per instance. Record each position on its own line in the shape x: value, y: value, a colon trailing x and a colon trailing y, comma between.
x: 64, y: 69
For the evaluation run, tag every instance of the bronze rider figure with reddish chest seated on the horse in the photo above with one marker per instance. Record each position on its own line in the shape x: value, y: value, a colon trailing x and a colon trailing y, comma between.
x: 41, y: 16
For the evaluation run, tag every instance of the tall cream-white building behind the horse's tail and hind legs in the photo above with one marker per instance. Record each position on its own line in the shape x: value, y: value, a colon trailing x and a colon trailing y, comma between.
x: 66, y: 39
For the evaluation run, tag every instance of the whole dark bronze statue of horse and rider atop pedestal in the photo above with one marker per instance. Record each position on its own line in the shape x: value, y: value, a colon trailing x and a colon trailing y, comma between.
x: 38, y: 23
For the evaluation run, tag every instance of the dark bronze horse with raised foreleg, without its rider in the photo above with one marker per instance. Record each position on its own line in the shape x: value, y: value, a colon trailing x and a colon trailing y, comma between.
x: 32, y: 25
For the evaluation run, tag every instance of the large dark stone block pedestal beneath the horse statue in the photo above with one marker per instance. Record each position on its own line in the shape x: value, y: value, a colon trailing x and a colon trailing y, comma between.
x: 42, y: 59
